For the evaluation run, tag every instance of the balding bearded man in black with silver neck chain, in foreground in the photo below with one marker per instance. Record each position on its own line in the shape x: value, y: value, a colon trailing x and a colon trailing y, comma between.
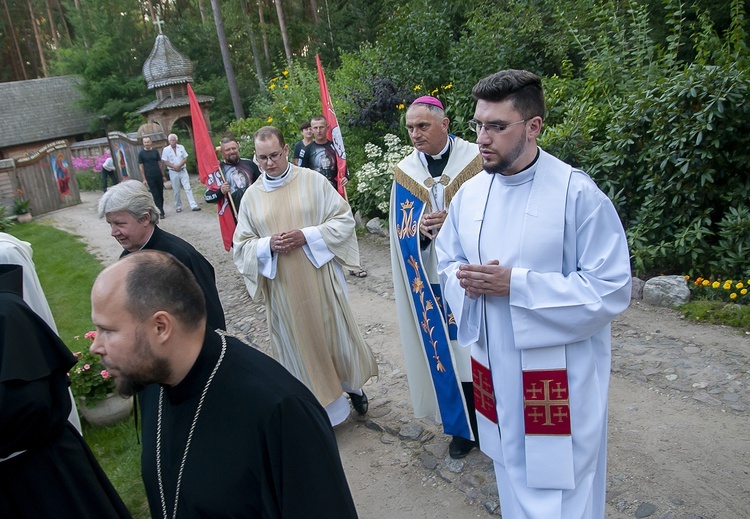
x: 227, y: 431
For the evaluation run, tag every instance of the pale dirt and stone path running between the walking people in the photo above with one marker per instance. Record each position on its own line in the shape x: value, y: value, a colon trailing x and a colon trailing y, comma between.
x: 679, y: 434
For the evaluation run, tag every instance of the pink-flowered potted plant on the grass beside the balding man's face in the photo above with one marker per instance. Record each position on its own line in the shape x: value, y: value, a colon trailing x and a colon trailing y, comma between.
x: 94, y: 389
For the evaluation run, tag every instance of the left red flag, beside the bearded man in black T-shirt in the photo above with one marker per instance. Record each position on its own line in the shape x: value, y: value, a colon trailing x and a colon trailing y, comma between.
x: 208, y: 168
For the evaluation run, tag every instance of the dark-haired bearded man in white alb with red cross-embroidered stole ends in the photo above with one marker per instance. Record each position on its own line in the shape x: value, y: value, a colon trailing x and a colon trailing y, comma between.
x: 535, y: 265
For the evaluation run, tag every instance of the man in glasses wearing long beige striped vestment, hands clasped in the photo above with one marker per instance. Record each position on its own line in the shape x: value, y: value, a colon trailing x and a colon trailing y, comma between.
x: 294, y: 237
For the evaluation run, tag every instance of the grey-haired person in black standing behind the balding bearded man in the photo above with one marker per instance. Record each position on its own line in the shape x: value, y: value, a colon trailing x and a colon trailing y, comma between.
x: 132, y: 216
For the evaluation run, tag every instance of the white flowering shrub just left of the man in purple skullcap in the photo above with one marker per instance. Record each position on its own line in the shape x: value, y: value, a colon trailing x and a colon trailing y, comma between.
x: 375, y: 178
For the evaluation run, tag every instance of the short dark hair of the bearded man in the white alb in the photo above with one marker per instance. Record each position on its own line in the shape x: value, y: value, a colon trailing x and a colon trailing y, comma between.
x: 522, y: 87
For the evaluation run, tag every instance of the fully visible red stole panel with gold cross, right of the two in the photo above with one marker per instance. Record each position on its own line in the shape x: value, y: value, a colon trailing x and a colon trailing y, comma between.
x: 546, y: 402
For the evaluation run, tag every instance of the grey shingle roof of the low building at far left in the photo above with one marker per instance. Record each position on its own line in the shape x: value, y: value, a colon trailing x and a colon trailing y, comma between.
x: 41, y: 109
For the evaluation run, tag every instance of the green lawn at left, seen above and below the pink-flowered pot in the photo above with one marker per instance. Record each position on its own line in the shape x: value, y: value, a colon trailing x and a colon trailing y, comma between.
x: 67, y: 271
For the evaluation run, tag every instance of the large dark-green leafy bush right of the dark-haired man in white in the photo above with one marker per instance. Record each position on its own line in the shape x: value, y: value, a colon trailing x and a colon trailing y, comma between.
x: 667, y: 140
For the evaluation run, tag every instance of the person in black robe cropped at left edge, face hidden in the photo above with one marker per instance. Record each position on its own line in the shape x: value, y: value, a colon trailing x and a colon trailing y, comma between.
x: 46, y: 468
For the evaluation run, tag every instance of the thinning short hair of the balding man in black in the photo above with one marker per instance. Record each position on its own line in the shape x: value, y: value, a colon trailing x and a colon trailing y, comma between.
x: 159, y: 281
